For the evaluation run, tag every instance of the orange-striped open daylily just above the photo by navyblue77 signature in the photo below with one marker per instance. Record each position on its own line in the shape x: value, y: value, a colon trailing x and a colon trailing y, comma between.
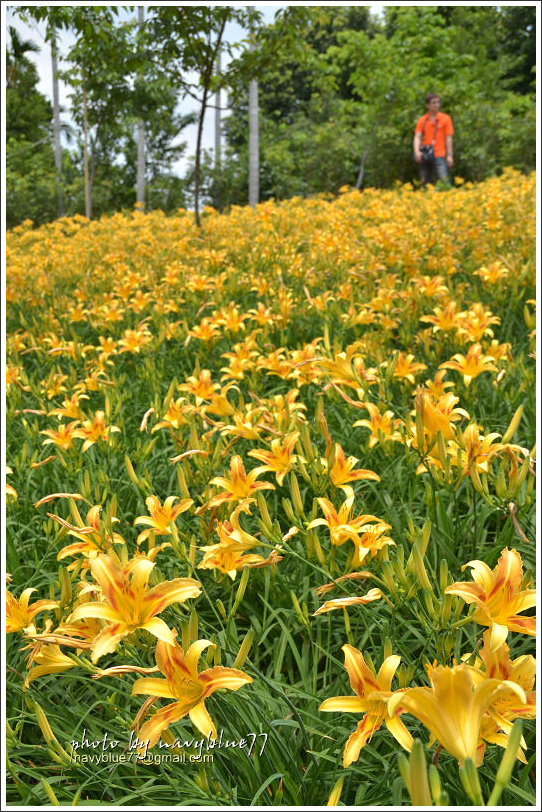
x: 184, y: 684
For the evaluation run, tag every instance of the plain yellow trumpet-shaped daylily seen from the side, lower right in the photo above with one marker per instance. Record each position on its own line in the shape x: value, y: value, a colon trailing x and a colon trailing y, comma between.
x: 453, y: 708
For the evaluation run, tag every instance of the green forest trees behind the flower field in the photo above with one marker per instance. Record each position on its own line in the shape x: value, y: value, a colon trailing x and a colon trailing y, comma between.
x: 339, y: 92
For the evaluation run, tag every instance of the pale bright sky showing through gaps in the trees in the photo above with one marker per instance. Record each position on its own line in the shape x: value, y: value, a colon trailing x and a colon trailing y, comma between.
x: 42, y: 60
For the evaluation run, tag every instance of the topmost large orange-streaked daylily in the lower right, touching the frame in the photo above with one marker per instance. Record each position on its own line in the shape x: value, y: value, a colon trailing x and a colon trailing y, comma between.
x: 498, y: 596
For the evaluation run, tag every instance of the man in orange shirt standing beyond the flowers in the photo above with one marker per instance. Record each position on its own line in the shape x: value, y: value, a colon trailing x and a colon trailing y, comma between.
x: 433, y: 142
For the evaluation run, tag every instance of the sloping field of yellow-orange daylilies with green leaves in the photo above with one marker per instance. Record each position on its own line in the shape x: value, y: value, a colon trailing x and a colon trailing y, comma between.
x: 271, y: 503
